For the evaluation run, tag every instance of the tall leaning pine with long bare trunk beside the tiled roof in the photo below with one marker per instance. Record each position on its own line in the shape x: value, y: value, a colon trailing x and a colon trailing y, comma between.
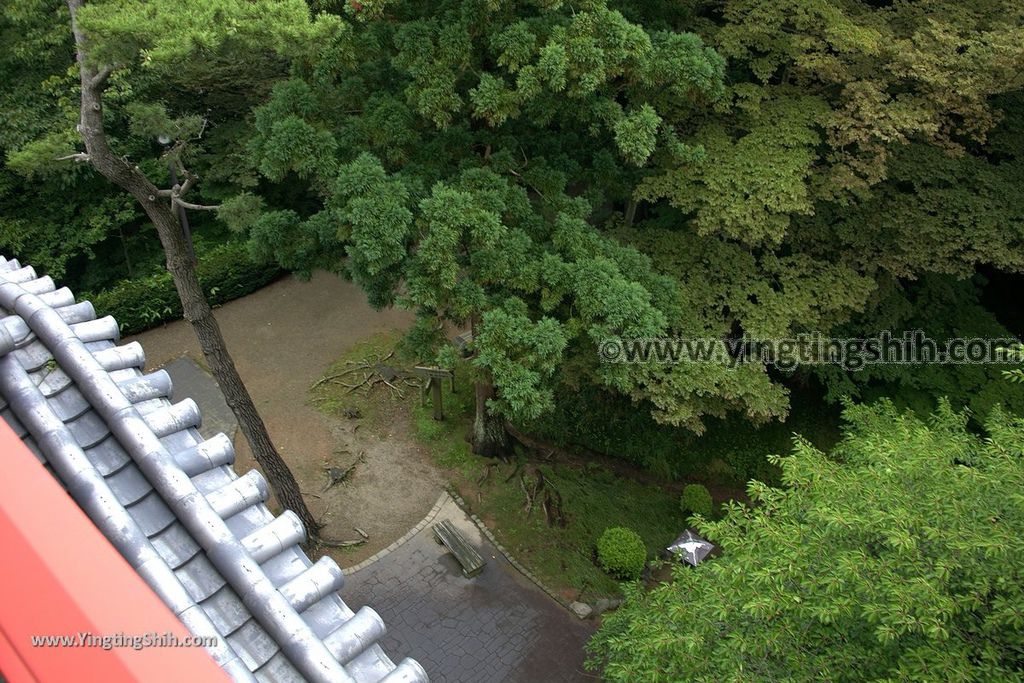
x: 109, y: 36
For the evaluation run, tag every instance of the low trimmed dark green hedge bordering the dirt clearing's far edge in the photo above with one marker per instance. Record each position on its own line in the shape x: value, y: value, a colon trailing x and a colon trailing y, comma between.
x: 226, y: 273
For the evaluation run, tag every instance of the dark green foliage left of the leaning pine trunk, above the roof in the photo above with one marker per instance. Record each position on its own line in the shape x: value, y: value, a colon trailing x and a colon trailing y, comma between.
x: 51, y: 214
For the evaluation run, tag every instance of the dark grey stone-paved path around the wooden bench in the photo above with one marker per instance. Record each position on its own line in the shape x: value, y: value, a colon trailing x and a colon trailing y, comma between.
x: 496, y: 627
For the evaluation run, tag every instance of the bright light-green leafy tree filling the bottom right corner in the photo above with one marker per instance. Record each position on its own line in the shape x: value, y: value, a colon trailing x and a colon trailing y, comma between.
x: 899, y: 557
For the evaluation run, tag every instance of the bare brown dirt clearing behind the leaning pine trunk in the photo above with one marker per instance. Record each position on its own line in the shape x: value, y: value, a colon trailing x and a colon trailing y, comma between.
x: 283, y: 338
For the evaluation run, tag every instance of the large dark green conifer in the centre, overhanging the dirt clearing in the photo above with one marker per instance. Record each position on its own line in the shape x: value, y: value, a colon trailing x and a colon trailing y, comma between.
x: 470, y: 188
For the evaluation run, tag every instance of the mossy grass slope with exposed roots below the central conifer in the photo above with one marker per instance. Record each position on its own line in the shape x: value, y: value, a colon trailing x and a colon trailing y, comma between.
x: 556, y: 535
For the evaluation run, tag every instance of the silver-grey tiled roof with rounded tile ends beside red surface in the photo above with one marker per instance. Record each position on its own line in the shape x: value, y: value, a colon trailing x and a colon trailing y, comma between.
x: 170, y: 502
